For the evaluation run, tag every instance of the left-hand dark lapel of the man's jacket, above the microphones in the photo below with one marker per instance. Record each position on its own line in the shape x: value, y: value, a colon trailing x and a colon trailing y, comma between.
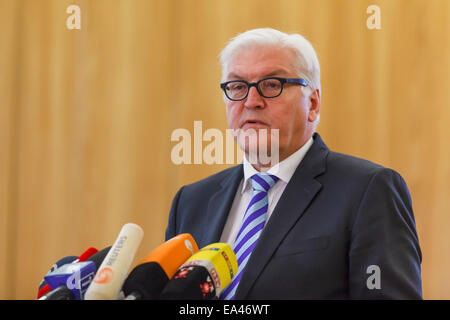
x: 219, y: 206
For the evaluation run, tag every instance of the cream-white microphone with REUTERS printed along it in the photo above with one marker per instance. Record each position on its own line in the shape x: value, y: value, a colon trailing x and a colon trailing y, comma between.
x: 112, y: 273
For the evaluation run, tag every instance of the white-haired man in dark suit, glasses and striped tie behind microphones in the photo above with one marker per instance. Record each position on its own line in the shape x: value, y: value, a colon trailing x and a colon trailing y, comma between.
x: 335, y: 226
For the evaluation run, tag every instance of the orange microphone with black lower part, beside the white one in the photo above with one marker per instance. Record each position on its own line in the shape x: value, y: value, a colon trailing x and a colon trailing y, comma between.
x: 148, y: 279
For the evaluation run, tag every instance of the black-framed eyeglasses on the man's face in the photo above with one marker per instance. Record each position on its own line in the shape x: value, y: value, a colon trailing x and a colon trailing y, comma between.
x: 272, y: 87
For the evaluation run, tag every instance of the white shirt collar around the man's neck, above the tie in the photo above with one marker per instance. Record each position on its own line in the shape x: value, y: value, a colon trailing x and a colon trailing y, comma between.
x: 284, y: 170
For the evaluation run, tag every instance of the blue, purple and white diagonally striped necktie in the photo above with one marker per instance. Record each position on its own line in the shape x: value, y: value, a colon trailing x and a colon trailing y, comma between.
x: 251, y: 228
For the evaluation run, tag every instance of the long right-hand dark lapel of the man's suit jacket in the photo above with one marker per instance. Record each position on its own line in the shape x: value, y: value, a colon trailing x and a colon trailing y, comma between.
x: 299, y: 192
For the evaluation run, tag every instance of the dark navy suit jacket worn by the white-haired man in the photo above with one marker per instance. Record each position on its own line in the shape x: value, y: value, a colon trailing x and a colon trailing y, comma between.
x: 338, y: 217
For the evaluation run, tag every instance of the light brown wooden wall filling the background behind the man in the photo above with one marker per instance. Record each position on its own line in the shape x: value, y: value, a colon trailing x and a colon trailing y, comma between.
x: 86, y: 115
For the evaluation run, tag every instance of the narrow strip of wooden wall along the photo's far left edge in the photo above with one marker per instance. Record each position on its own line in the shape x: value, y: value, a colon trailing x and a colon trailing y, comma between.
x: 9, y: 82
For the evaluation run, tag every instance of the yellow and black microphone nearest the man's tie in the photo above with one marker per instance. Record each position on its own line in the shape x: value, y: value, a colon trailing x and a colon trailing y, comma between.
x: 204, y: 275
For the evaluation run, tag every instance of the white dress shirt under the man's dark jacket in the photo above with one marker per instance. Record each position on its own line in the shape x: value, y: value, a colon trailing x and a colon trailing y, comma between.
x: 284, y: 171
